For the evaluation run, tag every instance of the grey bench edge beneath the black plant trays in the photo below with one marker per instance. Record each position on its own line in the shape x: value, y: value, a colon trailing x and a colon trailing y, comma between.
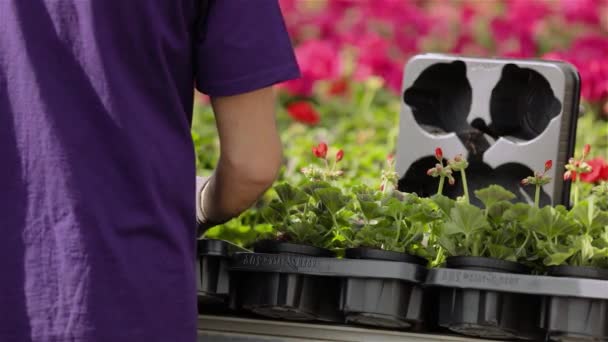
x: 224, y: 329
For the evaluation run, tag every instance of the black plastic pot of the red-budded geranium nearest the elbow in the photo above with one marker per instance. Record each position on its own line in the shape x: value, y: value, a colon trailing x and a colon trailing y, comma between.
x: 288, y: 296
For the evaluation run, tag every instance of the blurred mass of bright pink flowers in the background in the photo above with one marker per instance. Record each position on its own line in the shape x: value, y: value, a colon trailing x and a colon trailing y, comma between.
x: 355, y: 39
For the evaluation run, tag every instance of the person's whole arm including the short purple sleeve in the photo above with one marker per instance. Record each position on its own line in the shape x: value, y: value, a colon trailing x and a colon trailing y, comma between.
x: 242, y: 49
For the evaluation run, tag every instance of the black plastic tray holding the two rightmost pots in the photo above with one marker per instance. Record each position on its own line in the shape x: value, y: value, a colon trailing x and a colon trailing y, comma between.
x: 533, y: 307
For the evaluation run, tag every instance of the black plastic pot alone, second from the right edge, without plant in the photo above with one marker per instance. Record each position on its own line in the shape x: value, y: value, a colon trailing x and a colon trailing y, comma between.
x: 489, y: 314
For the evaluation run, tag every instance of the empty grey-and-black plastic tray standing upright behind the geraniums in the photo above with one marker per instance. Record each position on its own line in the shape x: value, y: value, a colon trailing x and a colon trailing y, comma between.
x: 505, y: 116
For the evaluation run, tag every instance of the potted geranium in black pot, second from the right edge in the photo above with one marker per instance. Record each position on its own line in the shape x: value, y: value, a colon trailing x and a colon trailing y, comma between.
x: 490, y: 239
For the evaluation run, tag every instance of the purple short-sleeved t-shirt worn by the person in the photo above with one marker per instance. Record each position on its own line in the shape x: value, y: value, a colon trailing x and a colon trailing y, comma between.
x: 97, y: 176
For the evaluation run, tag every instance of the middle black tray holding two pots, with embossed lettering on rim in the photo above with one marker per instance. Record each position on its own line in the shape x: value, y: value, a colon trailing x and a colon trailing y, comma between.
x: 299, y: 287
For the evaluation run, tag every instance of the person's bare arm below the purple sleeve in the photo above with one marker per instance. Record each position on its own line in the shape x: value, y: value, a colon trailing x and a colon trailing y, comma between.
x: 250, y: 153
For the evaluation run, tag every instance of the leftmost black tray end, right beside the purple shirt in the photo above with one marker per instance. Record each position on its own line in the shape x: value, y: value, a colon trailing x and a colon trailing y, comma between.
x: 213, y: 278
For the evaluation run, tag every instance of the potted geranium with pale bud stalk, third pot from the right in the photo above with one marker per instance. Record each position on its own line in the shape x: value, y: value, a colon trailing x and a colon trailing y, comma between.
x: 390, y: 226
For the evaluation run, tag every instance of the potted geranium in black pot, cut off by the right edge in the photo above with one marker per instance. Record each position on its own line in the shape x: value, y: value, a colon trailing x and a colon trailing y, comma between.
x: 573, y: 244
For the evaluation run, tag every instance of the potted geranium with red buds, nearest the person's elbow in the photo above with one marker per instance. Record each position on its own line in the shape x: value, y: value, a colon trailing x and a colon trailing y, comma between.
x: 311, y: 220
